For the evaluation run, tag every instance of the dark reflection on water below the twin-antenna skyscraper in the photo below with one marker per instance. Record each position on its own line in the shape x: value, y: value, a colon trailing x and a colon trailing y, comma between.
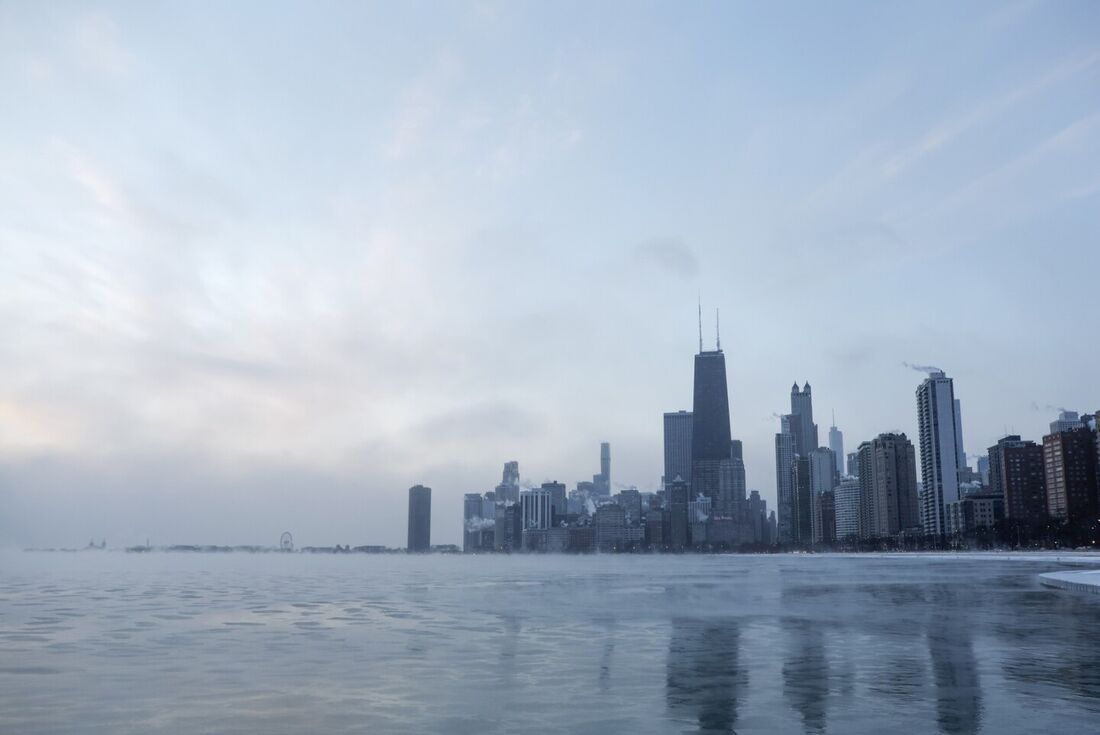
x: 706, y: 678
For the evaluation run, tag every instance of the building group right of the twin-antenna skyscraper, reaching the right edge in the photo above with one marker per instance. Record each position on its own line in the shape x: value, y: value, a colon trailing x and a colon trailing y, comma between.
x: 1021, y: 495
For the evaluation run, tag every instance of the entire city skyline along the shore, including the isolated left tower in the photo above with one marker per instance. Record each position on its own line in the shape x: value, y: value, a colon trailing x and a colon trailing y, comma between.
x: 887, y: 493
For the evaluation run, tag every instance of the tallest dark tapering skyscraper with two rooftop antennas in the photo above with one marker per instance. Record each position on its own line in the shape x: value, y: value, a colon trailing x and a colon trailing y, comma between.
x: 710, y: 441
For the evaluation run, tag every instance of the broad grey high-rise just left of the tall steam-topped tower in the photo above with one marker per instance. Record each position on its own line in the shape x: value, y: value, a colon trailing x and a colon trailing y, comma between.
x: 894, y: 507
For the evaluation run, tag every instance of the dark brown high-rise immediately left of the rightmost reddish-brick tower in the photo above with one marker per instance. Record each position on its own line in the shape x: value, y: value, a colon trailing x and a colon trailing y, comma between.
x: 1017, y: 474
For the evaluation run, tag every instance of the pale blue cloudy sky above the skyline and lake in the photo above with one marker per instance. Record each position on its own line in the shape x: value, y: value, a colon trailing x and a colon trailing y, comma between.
x: 266, y: 266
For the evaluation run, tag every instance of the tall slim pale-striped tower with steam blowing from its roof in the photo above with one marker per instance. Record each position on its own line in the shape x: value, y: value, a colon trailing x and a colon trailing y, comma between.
x: 940, y: 449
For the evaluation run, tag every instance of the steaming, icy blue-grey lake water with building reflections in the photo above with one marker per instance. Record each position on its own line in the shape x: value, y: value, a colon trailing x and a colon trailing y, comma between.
x: 117, y: 643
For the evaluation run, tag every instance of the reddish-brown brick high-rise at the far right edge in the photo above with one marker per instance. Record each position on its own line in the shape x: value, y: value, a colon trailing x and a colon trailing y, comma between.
x: 1070, y: 460
